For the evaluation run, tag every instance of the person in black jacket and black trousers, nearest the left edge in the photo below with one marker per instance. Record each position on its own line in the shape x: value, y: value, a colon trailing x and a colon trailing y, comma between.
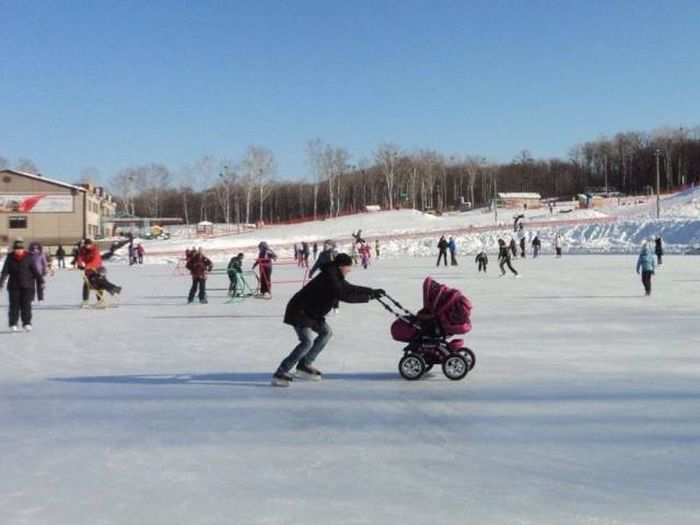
x: 22, y: 272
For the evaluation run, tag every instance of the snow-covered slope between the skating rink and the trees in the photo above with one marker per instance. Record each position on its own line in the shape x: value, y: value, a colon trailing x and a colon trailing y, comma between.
x: 613, y: 229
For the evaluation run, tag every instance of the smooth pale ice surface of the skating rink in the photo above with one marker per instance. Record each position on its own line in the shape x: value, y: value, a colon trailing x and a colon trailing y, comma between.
x: 582, y: 408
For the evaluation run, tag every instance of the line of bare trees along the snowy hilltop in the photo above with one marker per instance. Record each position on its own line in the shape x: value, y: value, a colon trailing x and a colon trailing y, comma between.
x: 247, y: 190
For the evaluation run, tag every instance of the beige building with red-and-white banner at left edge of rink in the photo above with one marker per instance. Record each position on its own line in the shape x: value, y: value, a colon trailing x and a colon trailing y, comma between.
x: 49, y: 211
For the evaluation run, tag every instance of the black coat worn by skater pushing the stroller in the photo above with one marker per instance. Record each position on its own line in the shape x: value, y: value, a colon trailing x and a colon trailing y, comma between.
x: 310, y: 305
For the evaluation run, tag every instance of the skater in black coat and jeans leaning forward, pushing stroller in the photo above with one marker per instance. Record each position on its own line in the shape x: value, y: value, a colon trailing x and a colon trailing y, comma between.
x: 307, y: 310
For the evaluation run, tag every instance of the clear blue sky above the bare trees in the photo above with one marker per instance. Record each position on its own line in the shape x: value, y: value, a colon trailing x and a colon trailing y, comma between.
x: 112, y: 84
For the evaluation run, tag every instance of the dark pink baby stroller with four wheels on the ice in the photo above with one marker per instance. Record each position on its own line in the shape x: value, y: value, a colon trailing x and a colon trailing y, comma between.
x: 445, y: 313
